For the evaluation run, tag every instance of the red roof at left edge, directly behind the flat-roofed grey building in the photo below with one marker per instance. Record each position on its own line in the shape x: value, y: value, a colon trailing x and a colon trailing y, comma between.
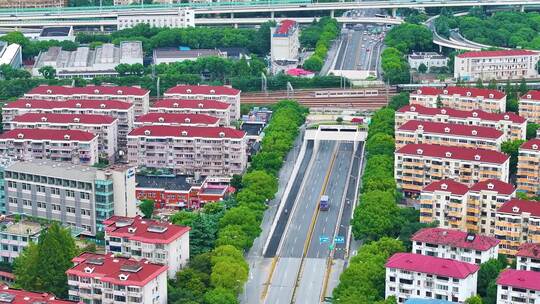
x: 48, y: 134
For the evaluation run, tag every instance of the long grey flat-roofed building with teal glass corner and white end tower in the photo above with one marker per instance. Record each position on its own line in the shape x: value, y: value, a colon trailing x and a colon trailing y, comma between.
x: 81, y: 197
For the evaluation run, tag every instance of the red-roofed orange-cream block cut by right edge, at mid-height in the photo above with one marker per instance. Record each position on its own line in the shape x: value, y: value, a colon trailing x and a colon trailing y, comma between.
x: 528, y: 174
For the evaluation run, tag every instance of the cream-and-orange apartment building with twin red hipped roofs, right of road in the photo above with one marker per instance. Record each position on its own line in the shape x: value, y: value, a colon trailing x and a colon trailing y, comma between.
x: 457, y: 206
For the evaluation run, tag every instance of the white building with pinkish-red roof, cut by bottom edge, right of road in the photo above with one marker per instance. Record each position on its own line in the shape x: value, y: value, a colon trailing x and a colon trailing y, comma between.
x: 427, y: 277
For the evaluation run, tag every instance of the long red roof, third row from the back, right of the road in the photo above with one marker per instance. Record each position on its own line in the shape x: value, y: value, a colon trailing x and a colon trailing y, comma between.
x: 453, y: 129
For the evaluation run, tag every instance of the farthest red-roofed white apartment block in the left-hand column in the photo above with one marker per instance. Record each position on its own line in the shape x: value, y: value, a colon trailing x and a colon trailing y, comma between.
x: 135, y: 95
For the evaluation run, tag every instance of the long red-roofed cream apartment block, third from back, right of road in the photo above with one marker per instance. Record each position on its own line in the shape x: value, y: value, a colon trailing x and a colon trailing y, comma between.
x: 448, y: 134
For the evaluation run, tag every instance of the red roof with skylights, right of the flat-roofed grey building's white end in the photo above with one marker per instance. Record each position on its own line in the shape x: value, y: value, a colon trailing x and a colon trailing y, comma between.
x: 119, y: 226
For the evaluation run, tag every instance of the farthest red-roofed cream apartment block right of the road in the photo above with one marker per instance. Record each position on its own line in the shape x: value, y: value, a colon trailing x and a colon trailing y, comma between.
x: 460, y: 98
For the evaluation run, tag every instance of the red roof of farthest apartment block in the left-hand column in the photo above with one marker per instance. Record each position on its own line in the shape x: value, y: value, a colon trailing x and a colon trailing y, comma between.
x: 88, y: 90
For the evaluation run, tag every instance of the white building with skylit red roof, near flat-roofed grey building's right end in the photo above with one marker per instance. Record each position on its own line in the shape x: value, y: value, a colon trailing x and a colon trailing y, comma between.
x: 157, y: 242
